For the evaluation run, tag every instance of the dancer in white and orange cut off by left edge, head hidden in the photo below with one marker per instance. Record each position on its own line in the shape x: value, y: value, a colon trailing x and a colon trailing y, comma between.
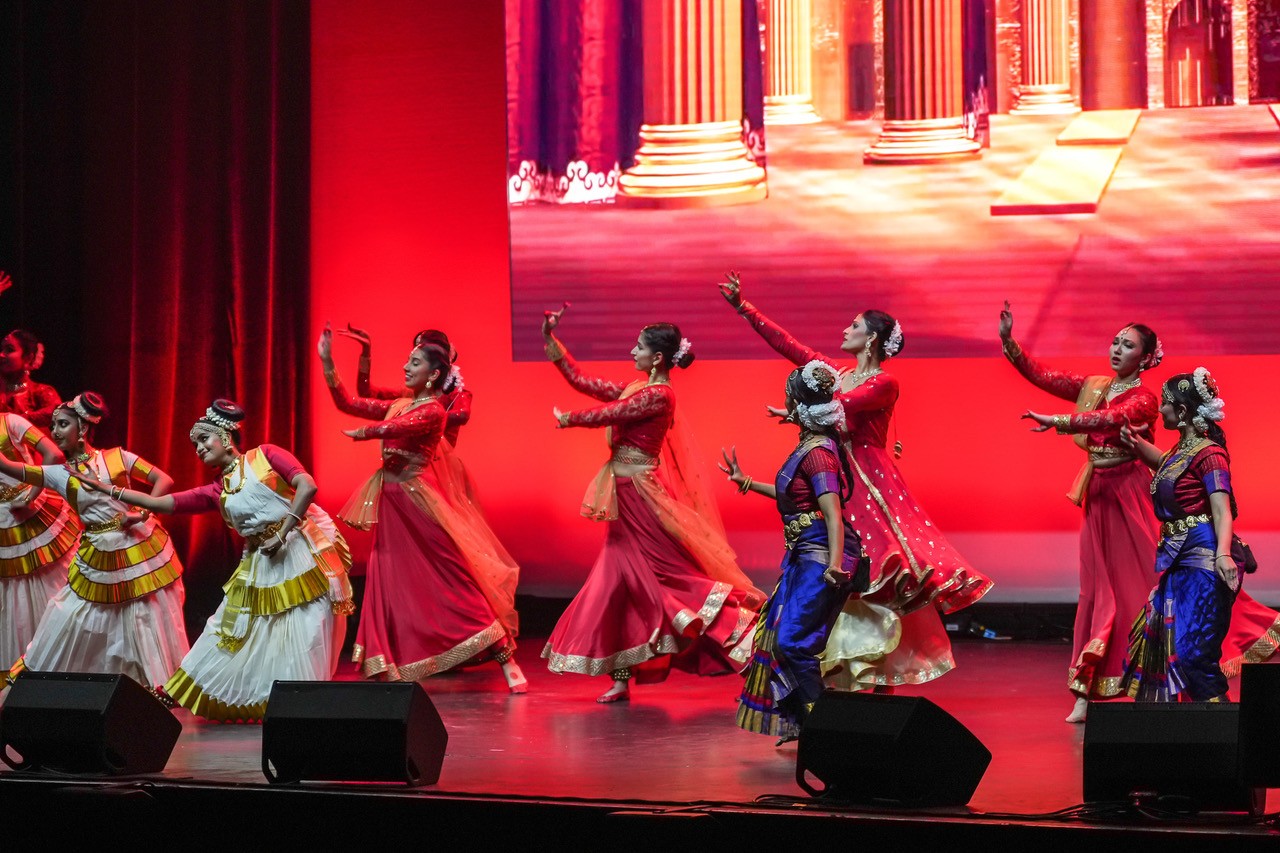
x: 38, y: 539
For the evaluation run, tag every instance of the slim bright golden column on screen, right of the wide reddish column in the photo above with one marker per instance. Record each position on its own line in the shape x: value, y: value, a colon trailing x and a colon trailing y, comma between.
x: 1046, y: 88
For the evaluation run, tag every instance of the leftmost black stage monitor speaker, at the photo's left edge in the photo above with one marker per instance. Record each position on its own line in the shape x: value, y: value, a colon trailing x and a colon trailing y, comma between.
x: 83, y: 723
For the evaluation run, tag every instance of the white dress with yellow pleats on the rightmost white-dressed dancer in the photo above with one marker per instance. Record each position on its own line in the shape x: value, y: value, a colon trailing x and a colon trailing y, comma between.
x: 284, y: 617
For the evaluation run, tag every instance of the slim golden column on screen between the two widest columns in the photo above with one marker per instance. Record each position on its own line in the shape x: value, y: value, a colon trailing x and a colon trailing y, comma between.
x: 789, y: 53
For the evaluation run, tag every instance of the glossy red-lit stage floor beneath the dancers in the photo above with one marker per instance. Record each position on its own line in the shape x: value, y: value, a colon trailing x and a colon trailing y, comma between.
x: 676, y: 742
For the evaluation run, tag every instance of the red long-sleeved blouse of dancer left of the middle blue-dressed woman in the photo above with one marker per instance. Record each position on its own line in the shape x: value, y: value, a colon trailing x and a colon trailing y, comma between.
x: 641, y: 419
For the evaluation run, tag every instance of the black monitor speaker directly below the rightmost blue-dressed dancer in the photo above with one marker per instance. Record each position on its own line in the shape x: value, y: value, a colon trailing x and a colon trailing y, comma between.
x: 1176, y: 750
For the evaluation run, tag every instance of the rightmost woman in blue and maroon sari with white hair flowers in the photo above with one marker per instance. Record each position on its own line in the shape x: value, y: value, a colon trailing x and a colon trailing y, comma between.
x: 1178, y: 644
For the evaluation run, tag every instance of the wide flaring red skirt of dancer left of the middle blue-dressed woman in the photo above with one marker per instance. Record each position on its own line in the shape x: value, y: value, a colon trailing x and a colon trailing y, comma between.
x: 646, y: 605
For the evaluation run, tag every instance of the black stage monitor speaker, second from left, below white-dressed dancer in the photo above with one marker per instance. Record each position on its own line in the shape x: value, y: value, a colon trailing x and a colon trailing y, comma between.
x: 353, y: 732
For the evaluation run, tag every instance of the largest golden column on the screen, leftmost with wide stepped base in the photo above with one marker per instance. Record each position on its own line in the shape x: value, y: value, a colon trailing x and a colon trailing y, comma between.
x: 692, y: 152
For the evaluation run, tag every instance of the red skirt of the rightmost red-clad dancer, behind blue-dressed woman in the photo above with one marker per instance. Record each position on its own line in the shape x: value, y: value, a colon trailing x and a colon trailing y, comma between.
x: 1118, y: 572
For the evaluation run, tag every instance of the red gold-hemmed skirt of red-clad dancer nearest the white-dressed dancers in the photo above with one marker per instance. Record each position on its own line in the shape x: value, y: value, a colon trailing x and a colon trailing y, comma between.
x: 423, y: 613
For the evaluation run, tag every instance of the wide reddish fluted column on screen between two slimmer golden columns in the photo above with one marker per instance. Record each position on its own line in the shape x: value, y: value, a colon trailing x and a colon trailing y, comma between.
x: 924, y: 84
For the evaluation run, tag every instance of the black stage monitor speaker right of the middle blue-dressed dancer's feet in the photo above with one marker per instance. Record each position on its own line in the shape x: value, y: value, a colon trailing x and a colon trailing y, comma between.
x: 897, y: 750
